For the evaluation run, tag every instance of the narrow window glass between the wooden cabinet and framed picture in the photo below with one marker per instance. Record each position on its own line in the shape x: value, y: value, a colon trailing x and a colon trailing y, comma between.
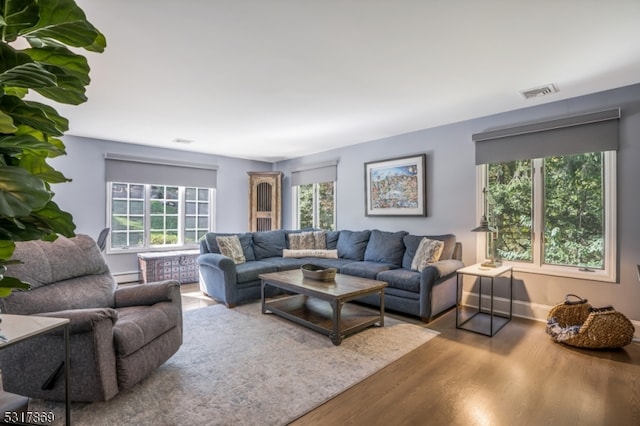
x: 315, y: 205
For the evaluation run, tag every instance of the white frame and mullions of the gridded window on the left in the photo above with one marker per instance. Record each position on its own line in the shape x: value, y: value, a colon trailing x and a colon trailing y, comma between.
x: 147, y: 247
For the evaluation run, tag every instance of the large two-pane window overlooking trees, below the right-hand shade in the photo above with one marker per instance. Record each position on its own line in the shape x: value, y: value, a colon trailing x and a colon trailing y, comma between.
x: 555, y: 214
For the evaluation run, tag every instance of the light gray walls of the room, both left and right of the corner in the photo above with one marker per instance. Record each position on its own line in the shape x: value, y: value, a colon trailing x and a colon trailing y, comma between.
x: 451, y: 183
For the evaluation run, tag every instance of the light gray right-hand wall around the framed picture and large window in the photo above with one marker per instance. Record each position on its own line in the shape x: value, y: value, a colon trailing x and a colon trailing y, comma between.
x: 451, y: 194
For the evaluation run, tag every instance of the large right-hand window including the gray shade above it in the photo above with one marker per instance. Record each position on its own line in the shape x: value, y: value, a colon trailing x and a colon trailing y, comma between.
x: 551, y: 192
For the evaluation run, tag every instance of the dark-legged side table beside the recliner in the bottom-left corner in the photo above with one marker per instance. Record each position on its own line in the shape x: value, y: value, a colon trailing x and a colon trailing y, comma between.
x: 17, y: 328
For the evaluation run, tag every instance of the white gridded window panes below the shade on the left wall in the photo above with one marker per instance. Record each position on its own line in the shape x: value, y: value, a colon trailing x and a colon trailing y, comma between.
x: 149, y: 216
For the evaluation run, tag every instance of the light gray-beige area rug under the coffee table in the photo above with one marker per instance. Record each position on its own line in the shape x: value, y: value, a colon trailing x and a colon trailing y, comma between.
x: 240, y: 367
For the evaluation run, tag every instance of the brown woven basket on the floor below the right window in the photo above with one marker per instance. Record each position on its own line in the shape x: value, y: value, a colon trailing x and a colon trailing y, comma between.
x: 577, y: 323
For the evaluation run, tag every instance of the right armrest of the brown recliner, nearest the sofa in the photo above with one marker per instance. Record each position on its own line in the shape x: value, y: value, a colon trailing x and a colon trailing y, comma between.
x: 147, y: 294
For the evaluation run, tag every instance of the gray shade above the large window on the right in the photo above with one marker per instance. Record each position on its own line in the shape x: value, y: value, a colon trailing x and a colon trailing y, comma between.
x: 591, y: 132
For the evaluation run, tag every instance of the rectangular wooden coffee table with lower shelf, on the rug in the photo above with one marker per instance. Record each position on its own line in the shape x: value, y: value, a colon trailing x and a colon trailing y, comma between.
x: 323, y: 305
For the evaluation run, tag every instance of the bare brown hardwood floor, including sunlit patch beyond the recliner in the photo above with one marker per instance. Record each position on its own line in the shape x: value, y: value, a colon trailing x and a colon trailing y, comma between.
x: 518, y: 377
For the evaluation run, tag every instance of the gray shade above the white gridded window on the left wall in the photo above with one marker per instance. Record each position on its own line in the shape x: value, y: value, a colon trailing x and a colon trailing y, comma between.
x: 130, y: 169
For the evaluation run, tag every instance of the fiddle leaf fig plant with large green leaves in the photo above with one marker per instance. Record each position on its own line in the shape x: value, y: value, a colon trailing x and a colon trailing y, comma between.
x: 36, y: 42
